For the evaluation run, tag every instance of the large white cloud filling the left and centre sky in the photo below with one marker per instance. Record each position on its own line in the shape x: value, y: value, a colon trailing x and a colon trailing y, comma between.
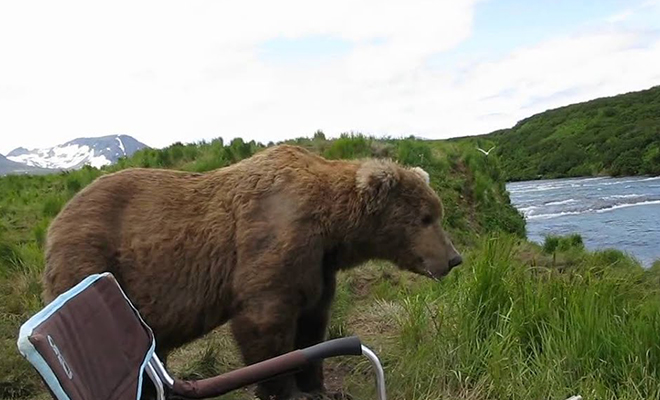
x: 166, y: 71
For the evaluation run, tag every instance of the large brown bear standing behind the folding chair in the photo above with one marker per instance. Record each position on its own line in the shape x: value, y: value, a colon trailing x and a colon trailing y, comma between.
x: 257, y: 243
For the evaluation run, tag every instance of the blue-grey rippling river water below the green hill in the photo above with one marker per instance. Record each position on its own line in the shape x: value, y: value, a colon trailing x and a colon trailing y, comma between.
x: 620, y: 213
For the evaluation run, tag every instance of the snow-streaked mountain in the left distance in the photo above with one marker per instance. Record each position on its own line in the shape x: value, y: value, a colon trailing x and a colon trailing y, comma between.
x: 95, y: 151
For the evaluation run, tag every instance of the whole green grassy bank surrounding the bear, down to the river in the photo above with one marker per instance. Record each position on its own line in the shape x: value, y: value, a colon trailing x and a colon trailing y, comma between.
x: 515, y: 321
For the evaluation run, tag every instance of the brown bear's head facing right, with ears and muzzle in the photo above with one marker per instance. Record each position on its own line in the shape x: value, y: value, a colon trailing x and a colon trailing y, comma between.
x: 404, y: 218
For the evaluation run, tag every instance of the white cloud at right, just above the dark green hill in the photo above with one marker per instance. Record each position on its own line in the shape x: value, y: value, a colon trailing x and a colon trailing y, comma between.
x: 566, y: 70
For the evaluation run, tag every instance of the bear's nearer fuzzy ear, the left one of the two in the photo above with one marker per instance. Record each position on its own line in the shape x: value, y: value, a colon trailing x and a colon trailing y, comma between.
x: 374, y: 180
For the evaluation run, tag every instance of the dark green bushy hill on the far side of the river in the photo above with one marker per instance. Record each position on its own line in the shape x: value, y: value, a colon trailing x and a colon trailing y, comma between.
x: 616, y: 136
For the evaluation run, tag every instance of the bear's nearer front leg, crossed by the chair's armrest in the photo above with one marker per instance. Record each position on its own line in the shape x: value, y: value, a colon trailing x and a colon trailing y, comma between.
x: 265, y: 328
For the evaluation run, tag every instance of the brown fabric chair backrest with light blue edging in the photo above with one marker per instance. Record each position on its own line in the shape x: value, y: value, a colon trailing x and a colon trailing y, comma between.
x: 93, y: 341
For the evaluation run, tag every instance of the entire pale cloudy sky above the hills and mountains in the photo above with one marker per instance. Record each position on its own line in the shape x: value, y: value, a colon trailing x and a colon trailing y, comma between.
x: 164, y: 71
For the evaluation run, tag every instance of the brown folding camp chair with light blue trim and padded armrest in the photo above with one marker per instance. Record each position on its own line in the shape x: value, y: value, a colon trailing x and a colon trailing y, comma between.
x: 90, y: 343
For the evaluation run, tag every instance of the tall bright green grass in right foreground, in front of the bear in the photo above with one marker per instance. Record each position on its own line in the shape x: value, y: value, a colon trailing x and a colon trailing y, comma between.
x: 499, y: 329
